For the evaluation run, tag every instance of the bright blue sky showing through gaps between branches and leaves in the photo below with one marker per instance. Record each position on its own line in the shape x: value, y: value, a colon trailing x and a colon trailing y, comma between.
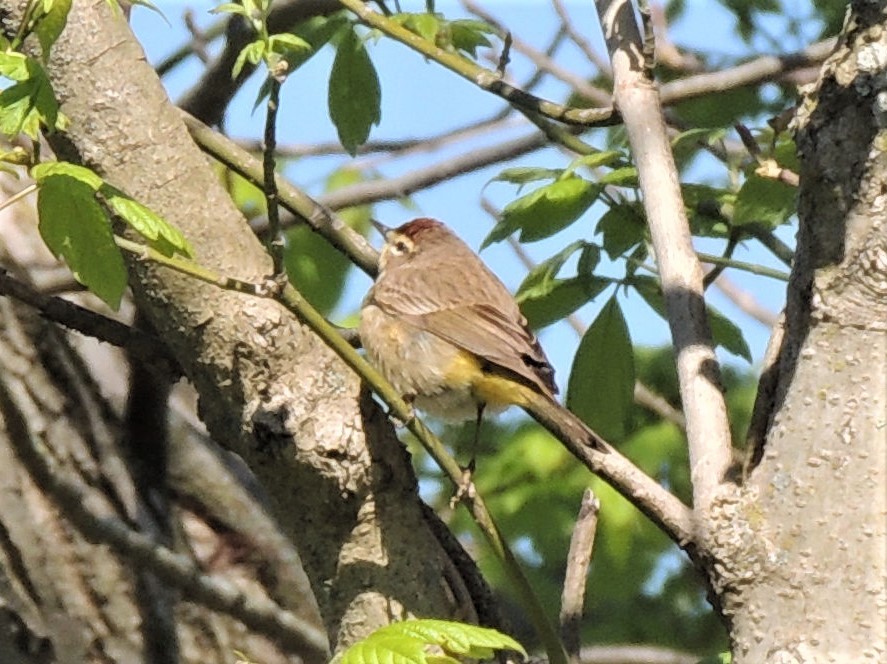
x: 420, y: 99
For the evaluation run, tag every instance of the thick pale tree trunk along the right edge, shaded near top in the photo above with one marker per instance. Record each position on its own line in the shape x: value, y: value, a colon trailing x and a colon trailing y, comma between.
x: 802, y: 549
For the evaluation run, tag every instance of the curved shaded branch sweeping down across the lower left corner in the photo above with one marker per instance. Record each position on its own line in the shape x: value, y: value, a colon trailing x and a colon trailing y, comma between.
x: 254, y: 611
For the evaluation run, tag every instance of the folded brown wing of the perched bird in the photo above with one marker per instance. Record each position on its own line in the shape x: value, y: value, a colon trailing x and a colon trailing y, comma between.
x: 496, y: 334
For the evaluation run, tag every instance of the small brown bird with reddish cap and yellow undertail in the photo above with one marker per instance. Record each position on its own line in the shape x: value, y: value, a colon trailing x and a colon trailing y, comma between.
x: 447, y: 333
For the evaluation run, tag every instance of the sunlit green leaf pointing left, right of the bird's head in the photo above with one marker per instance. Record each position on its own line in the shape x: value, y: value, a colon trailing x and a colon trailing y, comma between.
x: 545, y: 211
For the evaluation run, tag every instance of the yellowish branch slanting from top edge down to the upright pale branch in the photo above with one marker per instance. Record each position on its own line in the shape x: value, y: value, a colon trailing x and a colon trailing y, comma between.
x: 484, y: 78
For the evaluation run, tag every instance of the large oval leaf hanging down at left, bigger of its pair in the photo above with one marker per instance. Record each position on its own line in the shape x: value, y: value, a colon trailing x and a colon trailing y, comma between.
x: 75, y: 227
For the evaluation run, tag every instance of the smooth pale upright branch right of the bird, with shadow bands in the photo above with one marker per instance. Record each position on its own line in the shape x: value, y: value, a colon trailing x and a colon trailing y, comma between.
x: 708, y: 430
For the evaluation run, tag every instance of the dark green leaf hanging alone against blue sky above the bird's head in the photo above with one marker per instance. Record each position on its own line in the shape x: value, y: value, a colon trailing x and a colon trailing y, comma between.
x: 354, y: 93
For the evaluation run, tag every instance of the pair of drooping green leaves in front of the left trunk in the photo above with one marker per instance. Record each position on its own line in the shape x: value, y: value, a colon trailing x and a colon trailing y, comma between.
x: 73, y: 205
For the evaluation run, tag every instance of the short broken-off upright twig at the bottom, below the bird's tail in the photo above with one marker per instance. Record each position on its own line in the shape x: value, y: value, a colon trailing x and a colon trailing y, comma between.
x: 578, y: 559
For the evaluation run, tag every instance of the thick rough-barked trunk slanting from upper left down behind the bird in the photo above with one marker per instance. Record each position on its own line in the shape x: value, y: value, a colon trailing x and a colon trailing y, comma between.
x: 338, y: 481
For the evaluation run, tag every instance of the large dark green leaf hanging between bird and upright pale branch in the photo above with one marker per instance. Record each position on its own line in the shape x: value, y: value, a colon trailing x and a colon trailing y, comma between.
x: 601, y: 385
